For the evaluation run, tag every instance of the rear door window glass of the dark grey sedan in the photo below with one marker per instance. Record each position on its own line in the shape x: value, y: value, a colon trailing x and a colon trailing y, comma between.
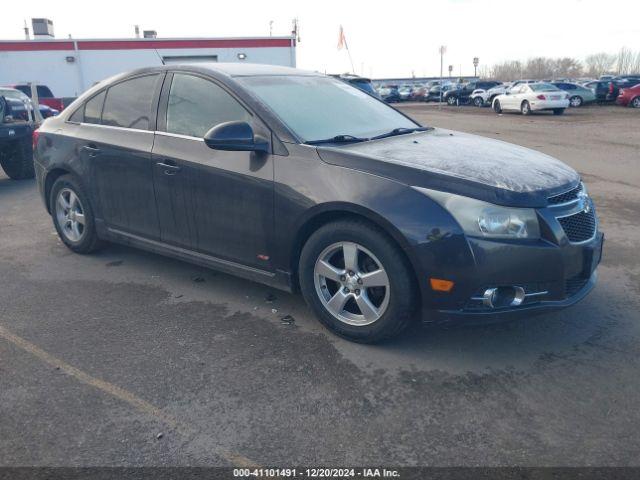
x: 129, y: 104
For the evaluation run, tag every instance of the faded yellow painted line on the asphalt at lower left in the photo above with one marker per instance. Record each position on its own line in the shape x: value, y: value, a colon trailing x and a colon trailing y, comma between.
x: 118, y: 392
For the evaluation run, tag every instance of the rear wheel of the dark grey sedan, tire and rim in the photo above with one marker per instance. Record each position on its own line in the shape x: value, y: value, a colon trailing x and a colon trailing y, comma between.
x: 87, y: 241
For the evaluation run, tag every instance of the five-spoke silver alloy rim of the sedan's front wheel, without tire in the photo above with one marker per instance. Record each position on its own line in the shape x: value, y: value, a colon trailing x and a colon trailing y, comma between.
x: 351, y: 283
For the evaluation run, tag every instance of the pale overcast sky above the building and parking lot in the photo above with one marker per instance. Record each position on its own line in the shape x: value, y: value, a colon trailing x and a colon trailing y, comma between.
x: 386, y: 39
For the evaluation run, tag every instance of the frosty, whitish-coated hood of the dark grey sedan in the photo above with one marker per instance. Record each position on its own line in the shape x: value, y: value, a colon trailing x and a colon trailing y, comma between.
x: 460, y: 163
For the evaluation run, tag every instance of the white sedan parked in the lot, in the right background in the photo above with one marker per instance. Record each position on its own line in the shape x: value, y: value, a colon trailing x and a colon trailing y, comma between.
x: 532, y: 97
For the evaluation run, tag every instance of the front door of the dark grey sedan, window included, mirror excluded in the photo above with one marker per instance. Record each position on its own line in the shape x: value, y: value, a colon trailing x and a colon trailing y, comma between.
x: 216, y: 202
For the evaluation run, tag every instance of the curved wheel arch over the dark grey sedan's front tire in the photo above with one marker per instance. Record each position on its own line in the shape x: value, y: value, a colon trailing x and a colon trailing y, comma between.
x: 336, y: 211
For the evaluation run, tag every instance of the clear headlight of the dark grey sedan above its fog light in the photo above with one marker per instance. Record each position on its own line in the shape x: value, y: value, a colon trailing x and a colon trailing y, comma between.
x: 483, y: 219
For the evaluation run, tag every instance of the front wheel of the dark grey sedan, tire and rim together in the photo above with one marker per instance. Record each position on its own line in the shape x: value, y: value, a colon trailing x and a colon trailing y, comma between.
x: 394, y: 304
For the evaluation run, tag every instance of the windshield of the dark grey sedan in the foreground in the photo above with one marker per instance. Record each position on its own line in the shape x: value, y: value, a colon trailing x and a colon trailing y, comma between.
x: 317, y: 108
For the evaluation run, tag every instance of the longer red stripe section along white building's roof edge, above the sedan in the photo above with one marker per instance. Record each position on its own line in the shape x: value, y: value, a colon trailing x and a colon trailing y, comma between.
x: 155, y: 44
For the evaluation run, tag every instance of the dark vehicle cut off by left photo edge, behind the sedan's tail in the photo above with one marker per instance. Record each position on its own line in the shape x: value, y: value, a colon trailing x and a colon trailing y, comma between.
x: 17, y: 124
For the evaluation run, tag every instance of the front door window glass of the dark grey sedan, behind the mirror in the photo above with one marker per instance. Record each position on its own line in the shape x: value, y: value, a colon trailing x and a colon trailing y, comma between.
x: 196, y: 105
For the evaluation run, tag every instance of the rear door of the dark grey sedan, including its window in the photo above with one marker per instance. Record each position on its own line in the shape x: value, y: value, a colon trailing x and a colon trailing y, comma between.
x: 116, y: 138
